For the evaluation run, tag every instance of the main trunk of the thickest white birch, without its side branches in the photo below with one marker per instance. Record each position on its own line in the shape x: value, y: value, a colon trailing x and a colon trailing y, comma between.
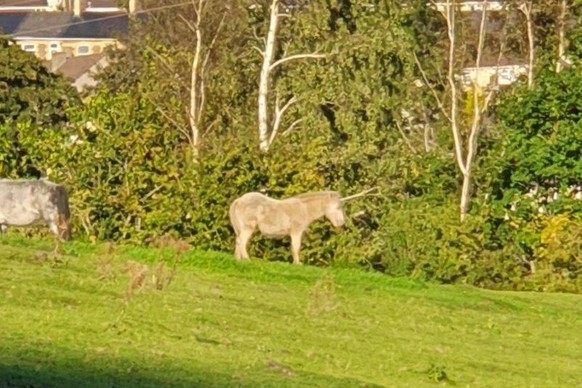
x: 264, y: 138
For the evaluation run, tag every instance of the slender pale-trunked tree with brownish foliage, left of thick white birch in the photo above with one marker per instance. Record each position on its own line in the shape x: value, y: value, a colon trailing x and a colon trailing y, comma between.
x: 179, y: 58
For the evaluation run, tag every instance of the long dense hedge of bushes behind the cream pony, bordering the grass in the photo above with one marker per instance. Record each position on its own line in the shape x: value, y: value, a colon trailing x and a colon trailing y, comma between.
x: 132, y: 178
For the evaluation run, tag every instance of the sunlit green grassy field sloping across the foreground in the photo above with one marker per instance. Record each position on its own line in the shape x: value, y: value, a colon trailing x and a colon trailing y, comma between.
x: 97, y: 317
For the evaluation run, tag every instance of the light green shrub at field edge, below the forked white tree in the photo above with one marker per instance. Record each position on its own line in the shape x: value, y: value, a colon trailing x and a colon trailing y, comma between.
x: 428, y: 241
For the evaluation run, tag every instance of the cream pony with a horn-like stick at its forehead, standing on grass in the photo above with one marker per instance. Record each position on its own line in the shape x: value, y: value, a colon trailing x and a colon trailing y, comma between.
x: 286, y: 217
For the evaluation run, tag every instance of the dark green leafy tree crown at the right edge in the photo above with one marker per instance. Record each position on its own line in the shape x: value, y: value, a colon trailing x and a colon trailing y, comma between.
x: 541, y: 133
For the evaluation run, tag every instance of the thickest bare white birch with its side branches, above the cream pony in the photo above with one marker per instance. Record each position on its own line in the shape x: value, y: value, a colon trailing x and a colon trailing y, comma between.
x: 268, y: 132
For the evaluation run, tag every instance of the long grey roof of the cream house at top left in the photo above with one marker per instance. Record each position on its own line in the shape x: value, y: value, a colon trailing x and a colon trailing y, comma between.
x: 64, y: 25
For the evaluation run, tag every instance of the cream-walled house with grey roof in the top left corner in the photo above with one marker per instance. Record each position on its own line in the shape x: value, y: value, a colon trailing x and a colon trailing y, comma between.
x: 69, y: 36
